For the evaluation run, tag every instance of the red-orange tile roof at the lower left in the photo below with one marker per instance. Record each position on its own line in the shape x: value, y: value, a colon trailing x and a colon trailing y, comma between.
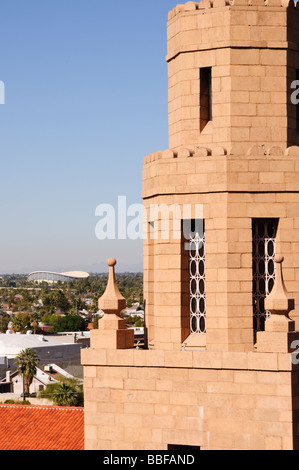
x: 32, y: 427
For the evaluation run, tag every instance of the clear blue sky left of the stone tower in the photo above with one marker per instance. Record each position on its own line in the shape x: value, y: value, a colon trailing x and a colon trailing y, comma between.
x: 85, y: 101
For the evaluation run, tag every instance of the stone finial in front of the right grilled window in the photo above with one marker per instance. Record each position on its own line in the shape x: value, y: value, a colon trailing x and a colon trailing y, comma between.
x: 279, y: 302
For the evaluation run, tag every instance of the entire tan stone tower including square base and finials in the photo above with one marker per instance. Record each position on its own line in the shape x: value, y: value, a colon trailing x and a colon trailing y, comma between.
x: 220, y: 367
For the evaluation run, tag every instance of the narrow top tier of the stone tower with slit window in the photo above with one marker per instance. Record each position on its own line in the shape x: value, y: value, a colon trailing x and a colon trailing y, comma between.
x: 230, y: 74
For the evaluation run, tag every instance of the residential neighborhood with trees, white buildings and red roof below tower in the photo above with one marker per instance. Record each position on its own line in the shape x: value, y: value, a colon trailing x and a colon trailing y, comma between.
x: 54, y: 321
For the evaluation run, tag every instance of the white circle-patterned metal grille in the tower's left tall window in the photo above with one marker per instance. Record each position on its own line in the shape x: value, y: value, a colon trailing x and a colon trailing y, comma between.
x: 197, y: 261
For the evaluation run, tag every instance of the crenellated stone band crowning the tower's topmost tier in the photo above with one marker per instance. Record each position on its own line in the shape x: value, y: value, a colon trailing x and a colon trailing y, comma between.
x: 258, y: 23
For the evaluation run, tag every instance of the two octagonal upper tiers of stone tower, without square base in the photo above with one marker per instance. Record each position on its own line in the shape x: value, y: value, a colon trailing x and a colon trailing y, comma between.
x: 233, y: 136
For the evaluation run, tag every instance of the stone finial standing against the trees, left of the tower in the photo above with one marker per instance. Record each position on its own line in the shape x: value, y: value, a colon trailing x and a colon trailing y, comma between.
x: 112, y: 302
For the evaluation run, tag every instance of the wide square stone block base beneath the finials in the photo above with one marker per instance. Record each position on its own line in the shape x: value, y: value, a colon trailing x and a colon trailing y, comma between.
x: 147, y: 400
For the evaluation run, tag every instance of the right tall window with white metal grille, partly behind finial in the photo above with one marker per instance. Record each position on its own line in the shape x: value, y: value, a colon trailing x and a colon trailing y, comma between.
x: 264, y: 250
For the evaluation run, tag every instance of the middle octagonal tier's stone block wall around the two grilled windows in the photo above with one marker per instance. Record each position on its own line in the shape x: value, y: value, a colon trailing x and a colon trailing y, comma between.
x: 232, y: 190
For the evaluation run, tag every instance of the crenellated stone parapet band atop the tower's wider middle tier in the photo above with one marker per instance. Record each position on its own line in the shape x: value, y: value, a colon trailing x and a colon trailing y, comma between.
x: 204, y: 170
